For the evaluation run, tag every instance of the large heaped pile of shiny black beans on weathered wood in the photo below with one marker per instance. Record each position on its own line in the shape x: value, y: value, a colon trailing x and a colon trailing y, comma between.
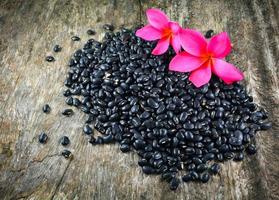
x: 132, y: 98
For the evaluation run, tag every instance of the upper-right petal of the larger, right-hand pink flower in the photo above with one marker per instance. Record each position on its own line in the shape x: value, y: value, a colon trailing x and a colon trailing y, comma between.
x: 219, y: 45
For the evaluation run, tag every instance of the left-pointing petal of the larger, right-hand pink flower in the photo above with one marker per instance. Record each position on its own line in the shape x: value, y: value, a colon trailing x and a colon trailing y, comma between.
x: 185, y: 62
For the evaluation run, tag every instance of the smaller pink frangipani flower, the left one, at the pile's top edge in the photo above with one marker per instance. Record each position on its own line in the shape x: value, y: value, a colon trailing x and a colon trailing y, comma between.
x: 162, y: 29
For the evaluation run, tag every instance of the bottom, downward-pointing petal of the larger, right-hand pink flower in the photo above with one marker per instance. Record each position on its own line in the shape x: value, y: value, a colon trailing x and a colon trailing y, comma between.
x: 201, y: 76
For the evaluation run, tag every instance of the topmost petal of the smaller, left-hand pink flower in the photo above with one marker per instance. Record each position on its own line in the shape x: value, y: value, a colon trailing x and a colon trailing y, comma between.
x: 157, y: 18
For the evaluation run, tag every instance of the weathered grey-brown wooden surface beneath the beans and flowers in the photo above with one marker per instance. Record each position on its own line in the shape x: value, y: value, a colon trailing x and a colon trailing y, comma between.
x: 29, y: 30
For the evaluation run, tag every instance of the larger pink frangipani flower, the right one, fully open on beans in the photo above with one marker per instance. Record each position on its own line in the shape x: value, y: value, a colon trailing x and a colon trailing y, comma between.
x: 202, y: 57
